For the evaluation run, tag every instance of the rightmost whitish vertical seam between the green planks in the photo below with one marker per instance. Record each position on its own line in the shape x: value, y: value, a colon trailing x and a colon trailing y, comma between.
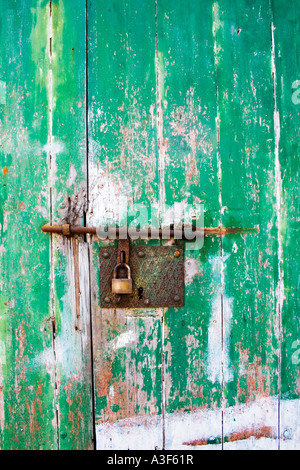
x: 279, y: 292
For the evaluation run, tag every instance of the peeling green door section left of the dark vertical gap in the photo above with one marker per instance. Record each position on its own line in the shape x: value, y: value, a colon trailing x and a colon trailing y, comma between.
x: 45, y: 390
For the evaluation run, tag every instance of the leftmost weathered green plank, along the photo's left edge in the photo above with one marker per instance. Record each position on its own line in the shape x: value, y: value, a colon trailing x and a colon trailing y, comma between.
x: 27, y: 374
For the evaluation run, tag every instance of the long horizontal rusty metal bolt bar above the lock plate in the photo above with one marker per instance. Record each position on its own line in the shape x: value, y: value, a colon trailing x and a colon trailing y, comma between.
x: 69, y: 230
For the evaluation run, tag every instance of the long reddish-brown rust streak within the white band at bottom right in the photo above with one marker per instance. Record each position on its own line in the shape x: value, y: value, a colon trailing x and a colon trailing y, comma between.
x: 262, y: 432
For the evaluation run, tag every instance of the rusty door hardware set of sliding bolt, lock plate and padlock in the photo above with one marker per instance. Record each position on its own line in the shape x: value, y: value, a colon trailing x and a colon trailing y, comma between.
x: 153, y: 276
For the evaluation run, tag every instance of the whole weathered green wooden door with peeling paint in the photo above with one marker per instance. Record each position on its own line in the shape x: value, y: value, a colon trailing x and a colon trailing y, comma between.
x: 162, y: 104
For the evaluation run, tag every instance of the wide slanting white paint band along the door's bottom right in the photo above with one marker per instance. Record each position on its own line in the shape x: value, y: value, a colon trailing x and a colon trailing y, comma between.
x: 186, y: 430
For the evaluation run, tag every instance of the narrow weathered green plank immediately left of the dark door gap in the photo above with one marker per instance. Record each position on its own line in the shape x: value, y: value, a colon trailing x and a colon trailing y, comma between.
x: 69, y: 257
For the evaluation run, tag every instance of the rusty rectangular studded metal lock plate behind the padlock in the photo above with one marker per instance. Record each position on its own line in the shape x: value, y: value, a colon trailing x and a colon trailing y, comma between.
x: 157, y: 277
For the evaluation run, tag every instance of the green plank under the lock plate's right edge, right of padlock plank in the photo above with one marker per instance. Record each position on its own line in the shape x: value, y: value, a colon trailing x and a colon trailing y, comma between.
x: 188, y: 147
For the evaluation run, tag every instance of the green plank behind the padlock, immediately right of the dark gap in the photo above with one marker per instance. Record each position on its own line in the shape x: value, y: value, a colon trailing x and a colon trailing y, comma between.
x: 123, y: 164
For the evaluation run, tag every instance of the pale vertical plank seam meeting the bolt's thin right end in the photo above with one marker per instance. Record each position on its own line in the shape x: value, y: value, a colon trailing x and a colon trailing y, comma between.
x: 219, y: 165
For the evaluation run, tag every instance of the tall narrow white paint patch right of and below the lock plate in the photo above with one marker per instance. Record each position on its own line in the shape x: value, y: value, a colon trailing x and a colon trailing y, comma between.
x: 216, y: 356
